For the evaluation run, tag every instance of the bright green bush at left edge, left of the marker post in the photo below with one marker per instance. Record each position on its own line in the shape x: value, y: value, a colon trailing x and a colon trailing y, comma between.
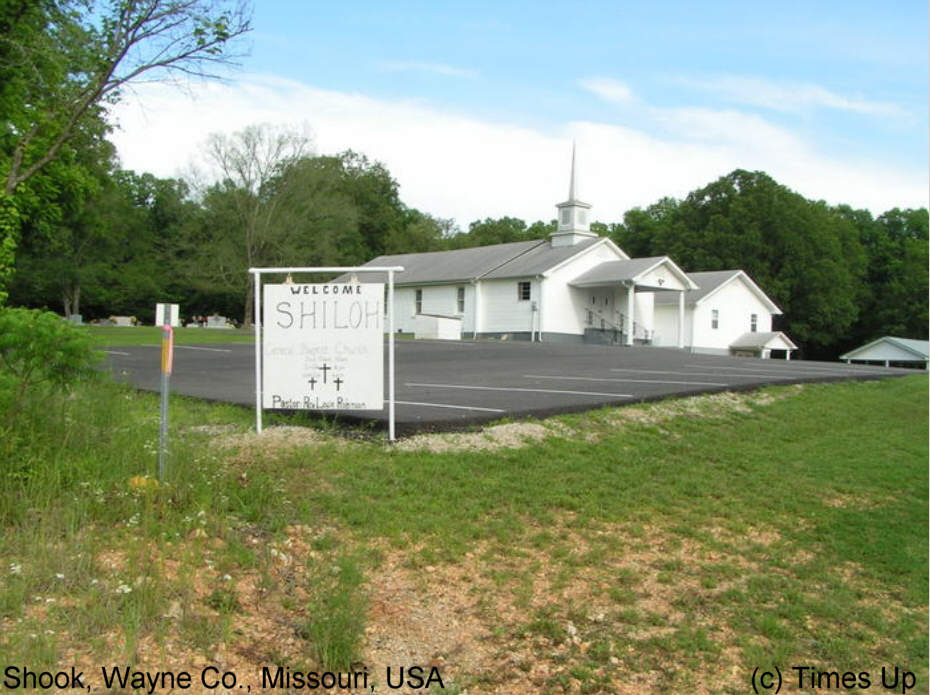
x: 39, y: 352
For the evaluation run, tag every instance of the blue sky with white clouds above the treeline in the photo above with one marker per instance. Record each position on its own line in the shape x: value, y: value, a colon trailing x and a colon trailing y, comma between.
x: 473, y: 107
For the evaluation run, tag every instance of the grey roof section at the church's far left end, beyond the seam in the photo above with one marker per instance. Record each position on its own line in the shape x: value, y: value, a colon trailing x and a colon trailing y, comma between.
x: 460, y: 265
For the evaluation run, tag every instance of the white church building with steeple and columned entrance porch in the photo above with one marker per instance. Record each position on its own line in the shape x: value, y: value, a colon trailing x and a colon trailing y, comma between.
x: 577, y: 286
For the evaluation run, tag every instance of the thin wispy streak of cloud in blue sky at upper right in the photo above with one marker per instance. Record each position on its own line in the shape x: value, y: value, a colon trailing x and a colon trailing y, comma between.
x: 789, y: 96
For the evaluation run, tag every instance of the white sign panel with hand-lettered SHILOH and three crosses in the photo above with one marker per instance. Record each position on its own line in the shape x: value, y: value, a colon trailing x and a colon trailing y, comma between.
x: 323, y: 347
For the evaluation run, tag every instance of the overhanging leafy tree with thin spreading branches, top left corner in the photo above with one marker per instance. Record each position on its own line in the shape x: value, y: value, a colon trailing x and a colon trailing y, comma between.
x: 62, y: 60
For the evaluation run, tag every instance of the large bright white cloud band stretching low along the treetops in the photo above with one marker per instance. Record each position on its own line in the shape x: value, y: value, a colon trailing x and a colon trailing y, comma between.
x: 452, y: 165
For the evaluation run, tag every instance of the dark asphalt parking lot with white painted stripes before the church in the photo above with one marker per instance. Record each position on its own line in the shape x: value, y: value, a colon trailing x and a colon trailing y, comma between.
x: 452, y: 385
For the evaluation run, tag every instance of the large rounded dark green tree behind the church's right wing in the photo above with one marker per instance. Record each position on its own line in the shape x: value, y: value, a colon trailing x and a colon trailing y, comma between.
x: 807, y: 257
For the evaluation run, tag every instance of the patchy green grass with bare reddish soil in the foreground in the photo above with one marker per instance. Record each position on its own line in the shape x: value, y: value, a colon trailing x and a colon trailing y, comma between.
x: 664, y: 548
